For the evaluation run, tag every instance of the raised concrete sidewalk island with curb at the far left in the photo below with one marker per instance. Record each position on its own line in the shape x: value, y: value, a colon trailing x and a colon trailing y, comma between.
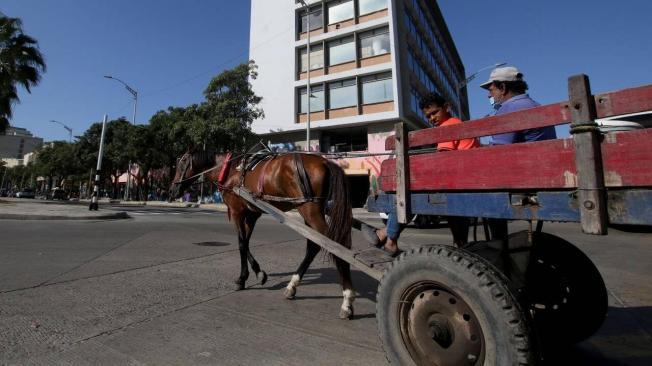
x: 28, y: 209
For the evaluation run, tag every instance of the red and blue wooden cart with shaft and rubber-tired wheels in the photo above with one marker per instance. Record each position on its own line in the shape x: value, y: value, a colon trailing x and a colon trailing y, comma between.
x: 503, y: 301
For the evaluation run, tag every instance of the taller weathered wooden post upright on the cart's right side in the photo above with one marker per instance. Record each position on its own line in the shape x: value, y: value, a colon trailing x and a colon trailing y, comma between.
x: 588, y: 159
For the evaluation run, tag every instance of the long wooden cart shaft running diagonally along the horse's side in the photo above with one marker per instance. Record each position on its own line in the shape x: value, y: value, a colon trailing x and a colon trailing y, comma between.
x: 327, y: 244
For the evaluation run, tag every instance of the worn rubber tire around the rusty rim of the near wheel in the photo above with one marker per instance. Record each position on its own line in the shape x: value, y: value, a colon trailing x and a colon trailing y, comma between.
x: 505, y: 327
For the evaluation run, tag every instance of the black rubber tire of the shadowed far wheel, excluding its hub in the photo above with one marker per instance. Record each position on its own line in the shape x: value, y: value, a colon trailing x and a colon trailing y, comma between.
x: 588, y: 300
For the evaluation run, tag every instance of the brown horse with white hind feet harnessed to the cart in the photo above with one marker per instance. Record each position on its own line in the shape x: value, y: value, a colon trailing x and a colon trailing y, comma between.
x: 305, y: 182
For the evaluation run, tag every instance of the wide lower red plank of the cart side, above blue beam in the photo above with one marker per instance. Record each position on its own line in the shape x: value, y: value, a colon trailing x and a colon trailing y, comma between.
x: 627, y: 158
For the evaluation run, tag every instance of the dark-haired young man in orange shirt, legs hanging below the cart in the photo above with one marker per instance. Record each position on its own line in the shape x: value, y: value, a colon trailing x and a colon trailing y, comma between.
x: 437, y: 112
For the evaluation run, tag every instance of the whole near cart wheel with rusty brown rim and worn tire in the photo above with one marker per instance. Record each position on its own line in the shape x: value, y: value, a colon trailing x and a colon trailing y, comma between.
x: 446, y: 307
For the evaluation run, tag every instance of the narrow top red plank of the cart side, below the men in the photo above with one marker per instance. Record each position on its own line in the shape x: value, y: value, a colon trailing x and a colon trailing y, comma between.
x: 607, y: 104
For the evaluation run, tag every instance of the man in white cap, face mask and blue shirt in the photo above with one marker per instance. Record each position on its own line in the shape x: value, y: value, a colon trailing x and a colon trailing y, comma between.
x: 508, y: 90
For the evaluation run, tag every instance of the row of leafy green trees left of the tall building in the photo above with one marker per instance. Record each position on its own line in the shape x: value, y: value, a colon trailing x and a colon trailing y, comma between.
x: 221, y: 122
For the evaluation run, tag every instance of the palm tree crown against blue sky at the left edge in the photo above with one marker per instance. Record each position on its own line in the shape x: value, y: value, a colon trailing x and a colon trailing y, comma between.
x: 21, y: 63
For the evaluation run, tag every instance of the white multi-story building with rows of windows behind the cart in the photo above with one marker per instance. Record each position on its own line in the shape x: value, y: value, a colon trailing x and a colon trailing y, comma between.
x: 370, y: 62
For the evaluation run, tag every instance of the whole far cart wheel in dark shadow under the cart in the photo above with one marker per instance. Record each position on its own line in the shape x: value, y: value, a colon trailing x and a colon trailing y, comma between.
x: 564, y: 291
